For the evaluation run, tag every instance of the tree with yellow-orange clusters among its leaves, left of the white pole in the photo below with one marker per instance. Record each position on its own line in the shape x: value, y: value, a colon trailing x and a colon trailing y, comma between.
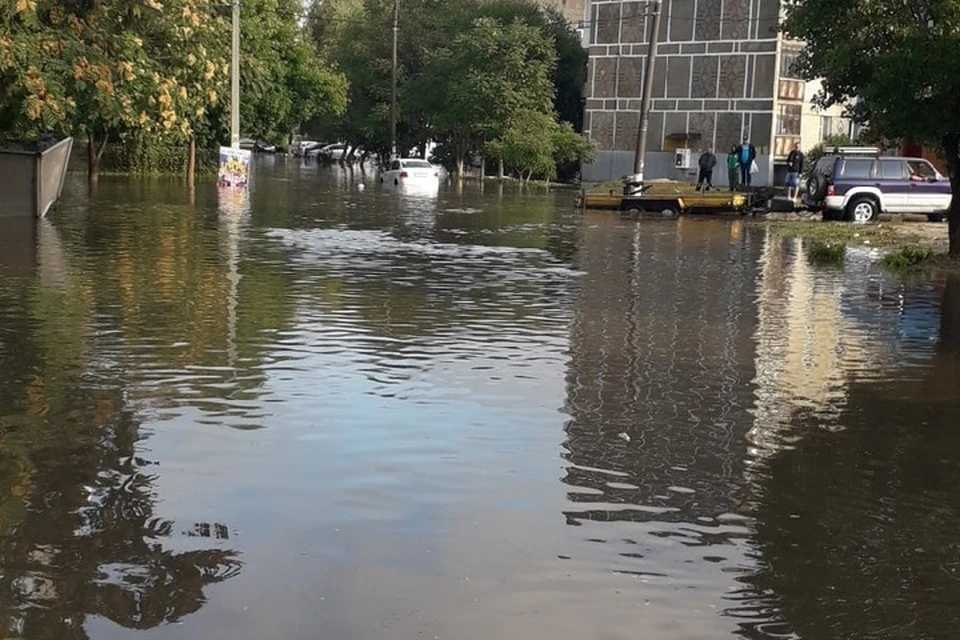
x: 106, y: 68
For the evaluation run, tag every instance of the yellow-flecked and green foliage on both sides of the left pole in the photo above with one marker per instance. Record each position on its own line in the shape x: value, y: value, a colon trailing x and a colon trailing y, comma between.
x: 157, y: 70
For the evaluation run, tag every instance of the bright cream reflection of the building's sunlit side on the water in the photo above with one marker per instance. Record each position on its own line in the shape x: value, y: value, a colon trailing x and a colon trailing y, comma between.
x: 818, y: 332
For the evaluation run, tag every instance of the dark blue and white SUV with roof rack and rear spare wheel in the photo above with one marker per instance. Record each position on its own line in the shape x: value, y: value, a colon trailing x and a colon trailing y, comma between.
x: 857, y: 184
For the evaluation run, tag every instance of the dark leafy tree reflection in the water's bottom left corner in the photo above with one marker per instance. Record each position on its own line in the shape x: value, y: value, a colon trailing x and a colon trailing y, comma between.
x: 87, y: 541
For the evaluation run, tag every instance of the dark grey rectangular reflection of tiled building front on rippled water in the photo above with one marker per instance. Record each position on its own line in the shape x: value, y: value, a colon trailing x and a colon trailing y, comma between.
x: 662, y: 357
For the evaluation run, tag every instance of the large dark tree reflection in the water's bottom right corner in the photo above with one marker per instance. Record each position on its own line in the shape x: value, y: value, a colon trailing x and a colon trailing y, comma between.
x: 856, y: 529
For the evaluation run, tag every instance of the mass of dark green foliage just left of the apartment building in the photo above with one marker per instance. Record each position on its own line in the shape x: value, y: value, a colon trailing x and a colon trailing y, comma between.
x: 469, y: 72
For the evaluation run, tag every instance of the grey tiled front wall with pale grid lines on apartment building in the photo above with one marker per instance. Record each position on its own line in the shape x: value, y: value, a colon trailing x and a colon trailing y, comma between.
x: 715, y: 77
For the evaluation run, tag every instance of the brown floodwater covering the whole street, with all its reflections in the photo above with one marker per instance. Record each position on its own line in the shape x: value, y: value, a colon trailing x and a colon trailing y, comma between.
x: 328, y: 412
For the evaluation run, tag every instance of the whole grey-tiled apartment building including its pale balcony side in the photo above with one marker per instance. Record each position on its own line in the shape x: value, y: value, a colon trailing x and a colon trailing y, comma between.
x: 723, y: 71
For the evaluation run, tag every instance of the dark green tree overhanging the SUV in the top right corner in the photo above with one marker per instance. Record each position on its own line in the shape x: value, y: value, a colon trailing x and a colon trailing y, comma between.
x: 895, y: 67
